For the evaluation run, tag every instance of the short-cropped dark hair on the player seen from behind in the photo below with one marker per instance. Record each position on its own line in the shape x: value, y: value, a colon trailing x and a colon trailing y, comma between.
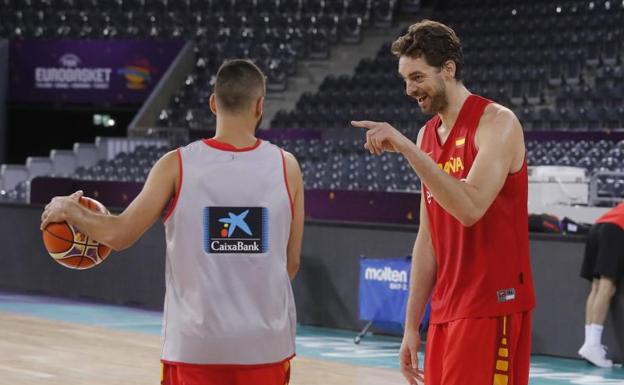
x: 239, y: 83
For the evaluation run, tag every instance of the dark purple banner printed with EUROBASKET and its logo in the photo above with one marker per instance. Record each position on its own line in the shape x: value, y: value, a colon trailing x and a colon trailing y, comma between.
x: 87, y: 71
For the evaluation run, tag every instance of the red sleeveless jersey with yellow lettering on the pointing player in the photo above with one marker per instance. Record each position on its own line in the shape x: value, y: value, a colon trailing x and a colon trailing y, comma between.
x: 482, y: 270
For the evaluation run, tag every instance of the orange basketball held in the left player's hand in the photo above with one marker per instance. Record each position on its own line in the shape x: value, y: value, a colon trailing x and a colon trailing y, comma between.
x: 71, y: 248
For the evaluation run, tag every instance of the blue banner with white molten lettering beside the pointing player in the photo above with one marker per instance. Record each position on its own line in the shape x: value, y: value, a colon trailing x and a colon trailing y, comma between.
x: 384, y: 288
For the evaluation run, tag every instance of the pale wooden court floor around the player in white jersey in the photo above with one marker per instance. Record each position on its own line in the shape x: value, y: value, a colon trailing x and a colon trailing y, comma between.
x: 36, y: 351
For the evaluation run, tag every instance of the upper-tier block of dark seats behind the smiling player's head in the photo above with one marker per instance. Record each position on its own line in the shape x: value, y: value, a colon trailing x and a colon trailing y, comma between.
x: 559, y: 66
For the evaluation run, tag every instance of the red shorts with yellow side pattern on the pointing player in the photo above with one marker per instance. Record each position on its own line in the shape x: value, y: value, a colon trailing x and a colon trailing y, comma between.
x: 479, y: 351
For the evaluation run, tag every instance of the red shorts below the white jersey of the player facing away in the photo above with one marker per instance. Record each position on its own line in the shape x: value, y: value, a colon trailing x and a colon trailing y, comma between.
x: 186, y: 374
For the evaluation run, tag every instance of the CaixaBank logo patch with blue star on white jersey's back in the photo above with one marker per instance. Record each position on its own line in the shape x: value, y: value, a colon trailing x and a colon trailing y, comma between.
x: 236, y: 230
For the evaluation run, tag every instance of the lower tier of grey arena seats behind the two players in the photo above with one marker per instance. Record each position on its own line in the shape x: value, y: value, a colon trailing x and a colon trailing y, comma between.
x: 345, y: 165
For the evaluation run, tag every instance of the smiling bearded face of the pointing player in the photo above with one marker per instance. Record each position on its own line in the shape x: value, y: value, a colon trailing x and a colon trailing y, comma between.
x: 425, y: 83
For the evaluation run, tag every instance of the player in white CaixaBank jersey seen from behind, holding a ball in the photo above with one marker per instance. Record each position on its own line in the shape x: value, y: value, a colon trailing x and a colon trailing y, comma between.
x: 234, y: 231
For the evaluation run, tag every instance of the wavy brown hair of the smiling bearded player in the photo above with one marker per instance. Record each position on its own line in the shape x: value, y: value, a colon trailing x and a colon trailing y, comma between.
x: 434, y: 41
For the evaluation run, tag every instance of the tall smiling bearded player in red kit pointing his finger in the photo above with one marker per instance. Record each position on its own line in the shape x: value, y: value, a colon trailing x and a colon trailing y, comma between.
x: 471, y: 255
